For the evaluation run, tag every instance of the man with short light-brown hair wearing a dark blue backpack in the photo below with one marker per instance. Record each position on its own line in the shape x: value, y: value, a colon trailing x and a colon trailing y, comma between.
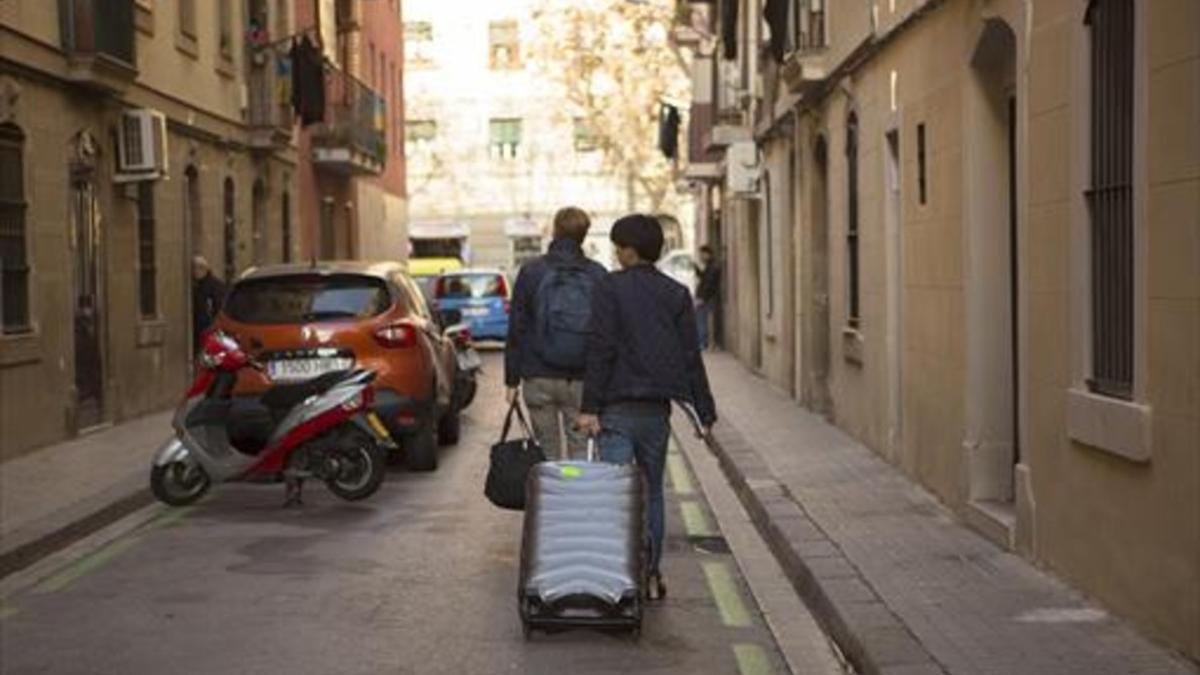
x: 547, y: 350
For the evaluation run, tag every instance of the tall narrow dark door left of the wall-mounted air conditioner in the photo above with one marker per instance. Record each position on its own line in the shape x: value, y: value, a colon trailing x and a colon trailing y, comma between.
x: 89, y: 307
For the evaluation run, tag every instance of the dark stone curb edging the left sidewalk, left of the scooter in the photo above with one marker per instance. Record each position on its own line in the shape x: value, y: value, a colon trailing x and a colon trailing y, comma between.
x: 79, y: 523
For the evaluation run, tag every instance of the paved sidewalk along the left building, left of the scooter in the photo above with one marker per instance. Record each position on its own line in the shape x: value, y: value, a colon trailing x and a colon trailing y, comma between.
x: 62, y: 493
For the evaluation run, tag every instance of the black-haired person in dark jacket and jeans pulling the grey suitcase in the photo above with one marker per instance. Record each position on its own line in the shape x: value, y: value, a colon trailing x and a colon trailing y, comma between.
x: 643, y: 355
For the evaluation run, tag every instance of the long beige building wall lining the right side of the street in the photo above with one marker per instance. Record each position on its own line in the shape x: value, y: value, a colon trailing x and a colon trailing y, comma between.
x: 971, y: 237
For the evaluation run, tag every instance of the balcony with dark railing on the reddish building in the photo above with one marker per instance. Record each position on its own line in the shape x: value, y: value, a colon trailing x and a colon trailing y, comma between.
x: 352, y: 139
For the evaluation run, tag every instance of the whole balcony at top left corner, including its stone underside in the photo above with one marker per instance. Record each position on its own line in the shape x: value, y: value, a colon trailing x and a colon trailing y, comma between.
x: 99, y: 39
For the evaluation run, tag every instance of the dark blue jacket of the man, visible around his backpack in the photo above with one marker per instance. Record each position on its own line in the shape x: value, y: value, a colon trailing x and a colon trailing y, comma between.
x: 521, y: 356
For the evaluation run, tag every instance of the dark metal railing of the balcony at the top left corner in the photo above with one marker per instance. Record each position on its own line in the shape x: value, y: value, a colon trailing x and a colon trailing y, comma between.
x: 99, y: 28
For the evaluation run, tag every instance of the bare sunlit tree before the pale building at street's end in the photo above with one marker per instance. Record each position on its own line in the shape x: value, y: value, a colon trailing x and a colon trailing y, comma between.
x: 615, y: 63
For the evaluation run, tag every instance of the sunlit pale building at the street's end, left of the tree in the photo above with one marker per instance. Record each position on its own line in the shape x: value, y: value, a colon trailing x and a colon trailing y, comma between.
x: 493, y: 150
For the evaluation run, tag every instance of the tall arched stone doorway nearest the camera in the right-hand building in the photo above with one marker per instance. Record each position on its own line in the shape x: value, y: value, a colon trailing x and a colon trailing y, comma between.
x: 993, y: 413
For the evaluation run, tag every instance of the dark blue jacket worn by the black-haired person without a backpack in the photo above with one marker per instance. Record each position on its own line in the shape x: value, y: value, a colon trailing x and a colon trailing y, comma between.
x: 644, y: 344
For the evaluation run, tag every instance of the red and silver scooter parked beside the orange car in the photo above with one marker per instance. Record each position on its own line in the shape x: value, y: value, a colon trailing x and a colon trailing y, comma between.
x: 321, y: 428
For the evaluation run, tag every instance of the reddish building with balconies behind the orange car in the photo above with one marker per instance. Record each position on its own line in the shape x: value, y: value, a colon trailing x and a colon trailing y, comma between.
x: 352, y: 178
